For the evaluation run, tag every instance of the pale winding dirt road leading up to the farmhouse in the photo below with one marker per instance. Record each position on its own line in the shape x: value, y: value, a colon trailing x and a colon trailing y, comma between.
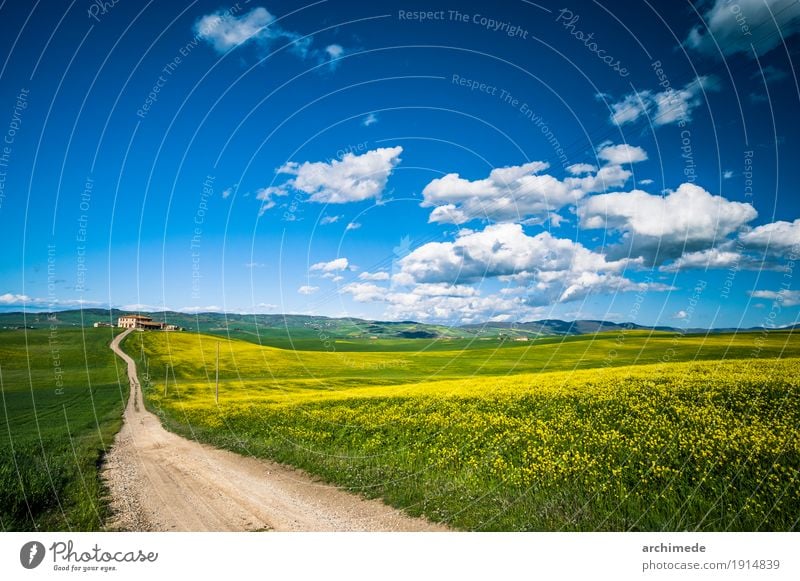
x: 162, y: 482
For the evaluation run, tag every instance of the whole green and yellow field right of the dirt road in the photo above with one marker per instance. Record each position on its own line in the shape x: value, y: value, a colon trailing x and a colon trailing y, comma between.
x: 614, y: 431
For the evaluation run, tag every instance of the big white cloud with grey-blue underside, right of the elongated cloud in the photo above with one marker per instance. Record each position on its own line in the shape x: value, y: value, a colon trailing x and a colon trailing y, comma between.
x: 659, y: 228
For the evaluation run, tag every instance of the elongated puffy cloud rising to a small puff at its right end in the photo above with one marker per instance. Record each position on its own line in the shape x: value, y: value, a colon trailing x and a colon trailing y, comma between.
x: 515, y: 193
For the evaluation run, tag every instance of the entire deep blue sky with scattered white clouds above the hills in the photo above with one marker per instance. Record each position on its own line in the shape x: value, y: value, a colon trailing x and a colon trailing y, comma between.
x: 404, y: 160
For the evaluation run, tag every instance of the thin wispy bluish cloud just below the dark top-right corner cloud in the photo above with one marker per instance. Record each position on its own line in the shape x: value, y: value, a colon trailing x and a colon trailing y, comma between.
x: 664, y: 108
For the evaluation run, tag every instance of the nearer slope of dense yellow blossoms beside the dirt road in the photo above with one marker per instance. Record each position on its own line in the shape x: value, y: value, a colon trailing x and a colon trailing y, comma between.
x: 712, y: 445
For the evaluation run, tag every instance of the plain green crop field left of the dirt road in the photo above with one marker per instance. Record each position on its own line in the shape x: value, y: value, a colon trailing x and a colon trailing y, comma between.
x: 62, y: 403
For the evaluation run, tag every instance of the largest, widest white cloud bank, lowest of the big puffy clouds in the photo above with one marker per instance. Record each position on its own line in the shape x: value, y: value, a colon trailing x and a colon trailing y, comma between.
x: 446, y: 281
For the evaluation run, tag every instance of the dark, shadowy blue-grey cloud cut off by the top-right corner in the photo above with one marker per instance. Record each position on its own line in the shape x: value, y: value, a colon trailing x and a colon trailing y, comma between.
x: 768, y: 23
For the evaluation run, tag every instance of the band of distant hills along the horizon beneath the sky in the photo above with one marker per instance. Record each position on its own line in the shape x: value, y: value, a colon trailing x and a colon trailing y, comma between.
x: 318, y: 327
